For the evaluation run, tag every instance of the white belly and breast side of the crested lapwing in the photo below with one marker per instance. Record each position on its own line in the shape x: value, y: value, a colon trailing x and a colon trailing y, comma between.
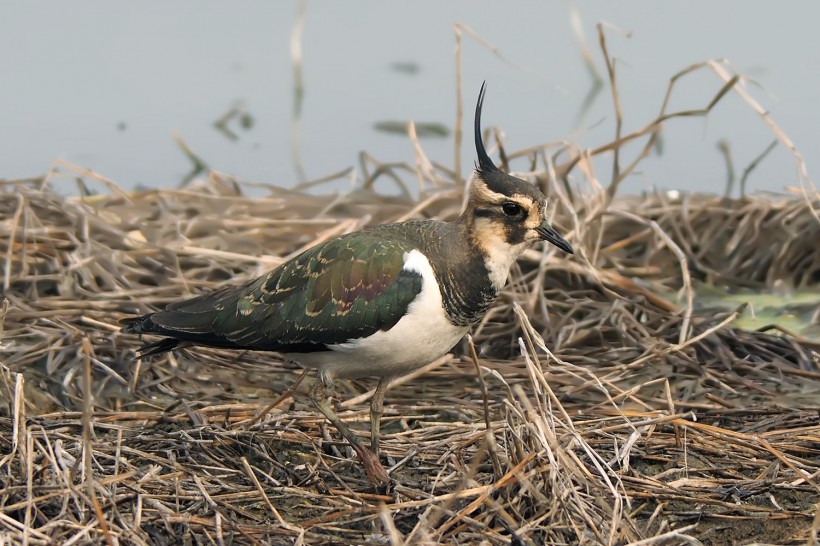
x: 421, y: 336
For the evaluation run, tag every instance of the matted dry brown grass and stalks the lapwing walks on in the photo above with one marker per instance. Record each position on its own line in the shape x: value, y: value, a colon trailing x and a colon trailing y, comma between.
x: 608, y: 408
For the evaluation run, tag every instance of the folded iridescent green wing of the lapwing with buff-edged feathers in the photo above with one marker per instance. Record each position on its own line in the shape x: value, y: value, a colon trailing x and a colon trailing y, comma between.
x: 347, y: 288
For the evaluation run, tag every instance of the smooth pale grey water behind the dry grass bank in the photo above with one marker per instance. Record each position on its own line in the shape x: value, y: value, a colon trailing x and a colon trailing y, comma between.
x: 104, y: 85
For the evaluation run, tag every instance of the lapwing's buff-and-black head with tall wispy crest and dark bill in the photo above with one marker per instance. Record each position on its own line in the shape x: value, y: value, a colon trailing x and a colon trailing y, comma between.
x: 506, y: 213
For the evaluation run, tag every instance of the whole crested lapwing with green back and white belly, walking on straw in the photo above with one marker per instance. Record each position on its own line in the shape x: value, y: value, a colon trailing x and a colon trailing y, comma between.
x: 379, y: 302
